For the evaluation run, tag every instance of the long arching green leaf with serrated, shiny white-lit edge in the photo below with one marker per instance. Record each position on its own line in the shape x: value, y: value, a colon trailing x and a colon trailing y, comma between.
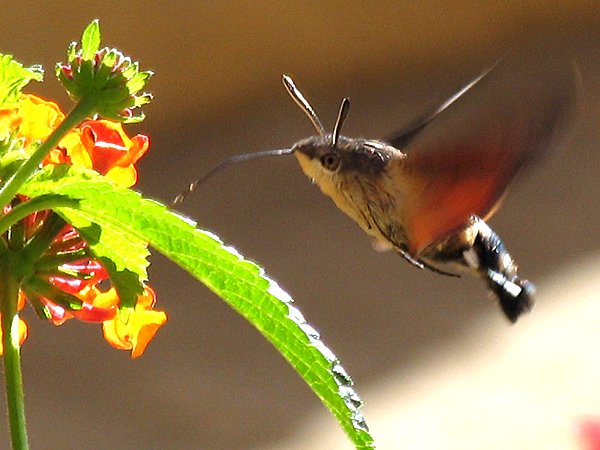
x: 241, y: 283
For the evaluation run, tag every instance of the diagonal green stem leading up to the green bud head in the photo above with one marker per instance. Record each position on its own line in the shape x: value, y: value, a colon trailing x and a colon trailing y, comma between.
x: 82, y: 110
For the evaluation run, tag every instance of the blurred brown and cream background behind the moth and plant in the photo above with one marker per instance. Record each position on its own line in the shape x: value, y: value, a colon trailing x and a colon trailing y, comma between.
x: 434, y: 360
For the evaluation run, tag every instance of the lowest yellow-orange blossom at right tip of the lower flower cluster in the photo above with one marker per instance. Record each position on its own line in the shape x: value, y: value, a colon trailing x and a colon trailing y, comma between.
x: 135, y: 331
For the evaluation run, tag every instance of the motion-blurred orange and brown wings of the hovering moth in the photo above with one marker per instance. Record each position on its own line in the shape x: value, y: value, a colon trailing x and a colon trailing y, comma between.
x: 474, y: 148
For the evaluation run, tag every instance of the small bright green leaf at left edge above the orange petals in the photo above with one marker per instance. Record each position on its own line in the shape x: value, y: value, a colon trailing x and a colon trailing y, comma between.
x: 14, y: 77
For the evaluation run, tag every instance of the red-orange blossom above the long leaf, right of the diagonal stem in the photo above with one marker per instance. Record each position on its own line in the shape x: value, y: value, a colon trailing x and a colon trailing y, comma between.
x: 103, y: 146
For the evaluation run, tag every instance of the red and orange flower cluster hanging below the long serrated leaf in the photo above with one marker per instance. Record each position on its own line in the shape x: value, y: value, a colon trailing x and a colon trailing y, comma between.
x: 71, y: 291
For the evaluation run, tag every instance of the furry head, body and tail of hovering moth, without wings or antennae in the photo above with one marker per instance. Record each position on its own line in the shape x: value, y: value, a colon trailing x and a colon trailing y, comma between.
x: 368, y: 180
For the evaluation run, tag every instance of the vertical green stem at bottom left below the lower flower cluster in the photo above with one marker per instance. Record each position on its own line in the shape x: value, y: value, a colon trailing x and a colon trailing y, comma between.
x: 9, y: 295
